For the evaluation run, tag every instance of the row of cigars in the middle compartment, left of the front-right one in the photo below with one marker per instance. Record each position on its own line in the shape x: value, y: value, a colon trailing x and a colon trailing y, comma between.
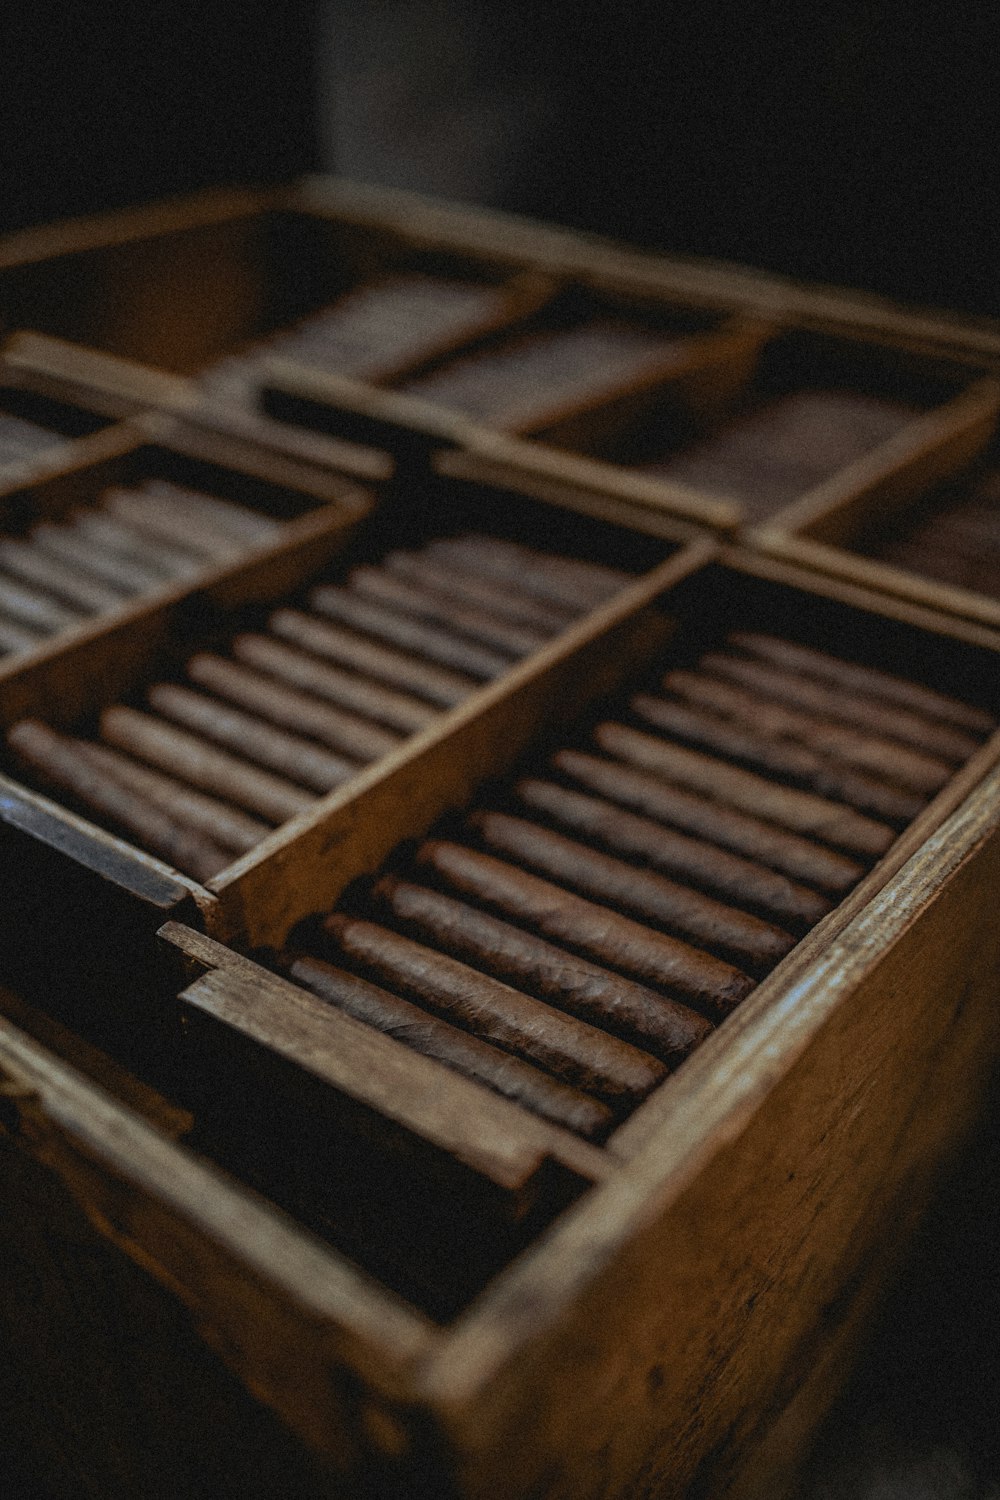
x: 250, y: 739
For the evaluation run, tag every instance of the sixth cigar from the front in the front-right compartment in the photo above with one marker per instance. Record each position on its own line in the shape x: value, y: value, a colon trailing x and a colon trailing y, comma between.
x: 692, y: 860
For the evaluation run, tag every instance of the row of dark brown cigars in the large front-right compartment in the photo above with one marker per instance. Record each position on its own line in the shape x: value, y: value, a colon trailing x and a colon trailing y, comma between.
x: 579, y: 932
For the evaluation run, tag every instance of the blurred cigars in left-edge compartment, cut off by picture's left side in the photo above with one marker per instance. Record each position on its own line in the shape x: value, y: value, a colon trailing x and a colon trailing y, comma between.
x: 130, y: 544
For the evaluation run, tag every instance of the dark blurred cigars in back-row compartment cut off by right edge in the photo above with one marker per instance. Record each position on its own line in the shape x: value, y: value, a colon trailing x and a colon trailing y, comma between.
x: 956, y: 539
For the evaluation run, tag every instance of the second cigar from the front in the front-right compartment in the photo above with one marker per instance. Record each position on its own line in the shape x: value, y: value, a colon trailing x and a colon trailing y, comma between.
x: 588, y: 1060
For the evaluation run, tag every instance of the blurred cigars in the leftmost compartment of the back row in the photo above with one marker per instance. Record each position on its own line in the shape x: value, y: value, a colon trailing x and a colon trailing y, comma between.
x: 370, y: 332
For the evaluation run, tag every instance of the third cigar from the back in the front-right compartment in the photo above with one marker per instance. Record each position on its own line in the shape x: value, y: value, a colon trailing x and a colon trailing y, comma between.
x: 884, y: 758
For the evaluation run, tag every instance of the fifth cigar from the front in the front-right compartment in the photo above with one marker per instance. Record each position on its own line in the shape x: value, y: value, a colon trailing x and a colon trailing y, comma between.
x: 701, y: 920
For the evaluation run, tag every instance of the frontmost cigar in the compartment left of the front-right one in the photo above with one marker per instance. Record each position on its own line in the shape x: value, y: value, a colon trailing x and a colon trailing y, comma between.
x: 59, y: 761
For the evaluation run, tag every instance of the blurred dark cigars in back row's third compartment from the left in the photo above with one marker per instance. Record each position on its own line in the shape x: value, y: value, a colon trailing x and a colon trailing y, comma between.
x: 777, y: 451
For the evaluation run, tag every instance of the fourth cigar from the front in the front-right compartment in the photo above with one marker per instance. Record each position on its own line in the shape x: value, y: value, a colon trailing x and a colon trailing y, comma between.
x: 608, y: 938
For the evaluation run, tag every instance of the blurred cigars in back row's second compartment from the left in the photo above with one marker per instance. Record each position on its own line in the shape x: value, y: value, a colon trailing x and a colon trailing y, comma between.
x: 522, y: 382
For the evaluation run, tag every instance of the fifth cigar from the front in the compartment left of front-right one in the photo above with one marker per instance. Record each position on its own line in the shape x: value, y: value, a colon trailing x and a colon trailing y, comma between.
x: 359, y: 739
